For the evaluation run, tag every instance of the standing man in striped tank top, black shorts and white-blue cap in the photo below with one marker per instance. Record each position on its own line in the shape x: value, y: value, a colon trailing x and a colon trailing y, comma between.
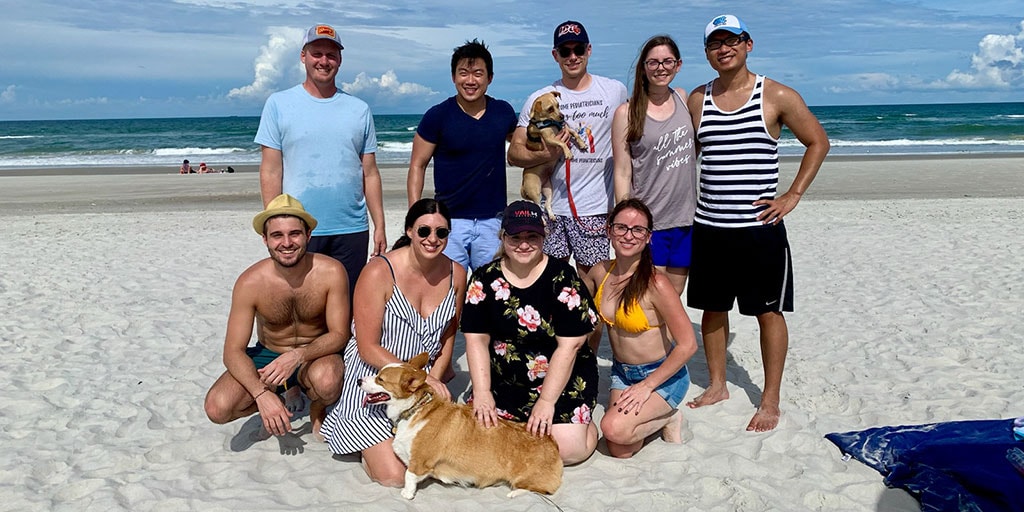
x: 741, y: 251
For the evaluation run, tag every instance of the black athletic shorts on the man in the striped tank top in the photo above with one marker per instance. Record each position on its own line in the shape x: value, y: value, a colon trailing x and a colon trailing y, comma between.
x: 751, y: 267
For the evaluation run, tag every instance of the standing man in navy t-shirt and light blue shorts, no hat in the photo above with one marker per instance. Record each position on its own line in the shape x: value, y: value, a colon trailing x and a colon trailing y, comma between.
x: 465, y: 136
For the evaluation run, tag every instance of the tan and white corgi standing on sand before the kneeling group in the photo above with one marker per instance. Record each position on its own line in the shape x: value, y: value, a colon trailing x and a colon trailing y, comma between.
x: 437, y: 438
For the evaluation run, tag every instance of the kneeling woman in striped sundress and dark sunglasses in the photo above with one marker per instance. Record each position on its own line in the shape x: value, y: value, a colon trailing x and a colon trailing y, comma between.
x: 418, y: 313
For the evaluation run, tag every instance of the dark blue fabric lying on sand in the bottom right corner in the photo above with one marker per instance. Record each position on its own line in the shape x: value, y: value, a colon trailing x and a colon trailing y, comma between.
x: 963, y: 465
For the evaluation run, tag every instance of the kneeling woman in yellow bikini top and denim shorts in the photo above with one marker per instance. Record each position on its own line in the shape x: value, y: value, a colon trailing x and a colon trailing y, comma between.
x: 650, y: 378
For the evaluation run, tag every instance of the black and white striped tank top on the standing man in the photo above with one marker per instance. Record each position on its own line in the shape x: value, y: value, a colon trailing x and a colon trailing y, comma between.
x: 739, y: 162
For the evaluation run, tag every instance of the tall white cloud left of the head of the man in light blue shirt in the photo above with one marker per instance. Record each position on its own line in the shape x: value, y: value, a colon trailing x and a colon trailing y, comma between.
x: 277, y: 57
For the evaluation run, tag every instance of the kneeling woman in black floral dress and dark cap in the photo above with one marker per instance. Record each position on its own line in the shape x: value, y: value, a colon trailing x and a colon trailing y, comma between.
x: 527, y: 320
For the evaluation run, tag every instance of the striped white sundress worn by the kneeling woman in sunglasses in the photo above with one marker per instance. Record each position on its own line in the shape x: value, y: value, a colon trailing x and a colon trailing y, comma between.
x: 350, y: 426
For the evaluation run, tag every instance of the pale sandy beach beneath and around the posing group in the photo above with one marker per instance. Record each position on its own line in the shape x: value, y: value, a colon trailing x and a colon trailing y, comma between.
x: 910, y: 309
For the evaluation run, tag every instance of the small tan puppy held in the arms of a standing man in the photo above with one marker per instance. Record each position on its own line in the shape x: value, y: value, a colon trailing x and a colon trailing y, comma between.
x: 546, y: 122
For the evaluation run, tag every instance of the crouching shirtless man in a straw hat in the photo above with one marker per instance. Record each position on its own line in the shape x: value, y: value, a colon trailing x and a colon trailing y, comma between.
x: 300, y: 302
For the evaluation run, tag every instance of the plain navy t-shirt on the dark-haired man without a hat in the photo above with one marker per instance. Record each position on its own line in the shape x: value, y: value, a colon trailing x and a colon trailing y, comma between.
x: 470, y: 160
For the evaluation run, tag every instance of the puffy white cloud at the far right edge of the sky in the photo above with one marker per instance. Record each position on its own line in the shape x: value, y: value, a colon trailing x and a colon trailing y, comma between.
x: 999, y: 64
